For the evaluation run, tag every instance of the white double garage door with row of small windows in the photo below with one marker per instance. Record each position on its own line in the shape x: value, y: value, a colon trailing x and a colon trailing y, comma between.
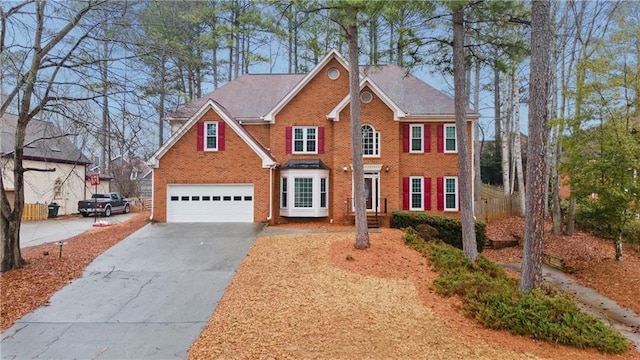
x: 210, y: 203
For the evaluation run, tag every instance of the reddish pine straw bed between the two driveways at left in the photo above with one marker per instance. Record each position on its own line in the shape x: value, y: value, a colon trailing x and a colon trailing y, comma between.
x: 24, y: 290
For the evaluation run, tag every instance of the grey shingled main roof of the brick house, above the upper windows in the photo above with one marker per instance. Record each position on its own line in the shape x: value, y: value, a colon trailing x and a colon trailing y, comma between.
x: 408, y: 96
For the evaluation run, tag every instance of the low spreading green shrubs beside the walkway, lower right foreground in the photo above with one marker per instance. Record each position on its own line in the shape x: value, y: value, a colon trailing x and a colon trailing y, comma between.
x: 493, y: 298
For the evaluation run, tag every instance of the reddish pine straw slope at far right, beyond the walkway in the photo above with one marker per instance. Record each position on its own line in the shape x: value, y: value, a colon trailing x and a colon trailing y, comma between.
x: 589, y: 259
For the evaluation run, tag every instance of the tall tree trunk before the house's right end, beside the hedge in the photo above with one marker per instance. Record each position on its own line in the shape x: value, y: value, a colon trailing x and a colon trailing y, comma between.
x: 469, y: 244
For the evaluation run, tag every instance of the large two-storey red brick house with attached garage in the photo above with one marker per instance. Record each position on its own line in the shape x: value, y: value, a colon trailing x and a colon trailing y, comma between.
x: 277, y: 148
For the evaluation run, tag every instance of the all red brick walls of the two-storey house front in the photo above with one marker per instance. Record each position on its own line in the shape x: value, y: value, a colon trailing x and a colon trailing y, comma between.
x: 239, y: 164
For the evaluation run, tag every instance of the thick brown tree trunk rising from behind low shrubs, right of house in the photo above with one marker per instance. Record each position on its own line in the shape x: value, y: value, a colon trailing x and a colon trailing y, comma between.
x: 537, y: 146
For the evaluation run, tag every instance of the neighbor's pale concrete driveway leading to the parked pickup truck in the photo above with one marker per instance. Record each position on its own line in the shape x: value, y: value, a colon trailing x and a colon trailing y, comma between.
x: 50, y: 230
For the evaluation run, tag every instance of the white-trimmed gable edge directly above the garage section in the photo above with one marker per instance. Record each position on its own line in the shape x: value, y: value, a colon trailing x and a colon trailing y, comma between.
x: 267, y: 159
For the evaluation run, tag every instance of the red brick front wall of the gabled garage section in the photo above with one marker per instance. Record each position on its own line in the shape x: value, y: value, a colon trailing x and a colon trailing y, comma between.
x: 238, y: 163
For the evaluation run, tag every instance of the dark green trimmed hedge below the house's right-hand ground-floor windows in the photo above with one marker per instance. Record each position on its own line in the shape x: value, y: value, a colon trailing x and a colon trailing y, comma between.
x: 449, y: 229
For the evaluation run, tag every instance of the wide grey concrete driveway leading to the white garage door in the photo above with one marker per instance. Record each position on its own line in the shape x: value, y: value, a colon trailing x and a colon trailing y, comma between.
x: 148, y: 297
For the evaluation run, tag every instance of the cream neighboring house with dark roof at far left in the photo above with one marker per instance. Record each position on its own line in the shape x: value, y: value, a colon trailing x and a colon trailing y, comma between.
x: 46, y: 147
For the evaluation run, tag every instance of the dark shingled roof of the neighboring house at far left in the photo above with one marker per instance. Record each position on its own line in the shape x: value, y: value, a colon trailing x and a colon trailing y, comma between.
x: 44, y: 141
